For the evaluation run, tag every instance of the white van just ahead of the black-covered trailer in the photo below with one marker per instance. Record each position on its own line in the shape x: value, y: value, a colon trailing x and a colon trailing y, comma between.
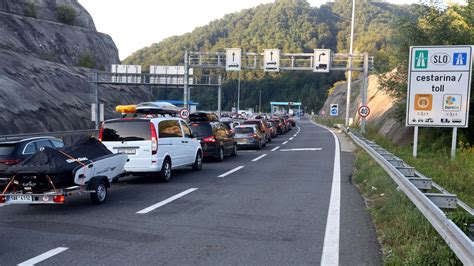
x: 153, y: 145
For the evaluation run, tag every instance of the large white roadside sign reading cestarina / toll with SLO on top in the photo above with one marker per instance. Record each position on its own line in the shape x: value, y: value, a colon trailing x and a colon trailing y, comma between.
x: 439, y: 86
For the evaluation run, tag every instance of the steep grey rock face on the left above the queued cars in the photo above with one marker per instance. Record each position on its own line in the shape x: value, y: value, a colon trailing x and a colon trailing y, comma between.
x: 42, y: 86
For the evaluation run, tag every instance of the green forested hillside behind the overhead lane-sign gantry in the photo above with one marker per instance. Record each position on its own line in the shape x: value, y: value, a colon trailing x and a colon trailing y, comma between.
x: 290, y: 25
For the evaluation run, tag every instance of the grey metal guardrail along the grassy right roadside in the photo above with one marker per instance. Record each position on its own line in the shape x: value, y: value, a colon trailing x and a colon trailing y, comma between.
x: 414, y: 184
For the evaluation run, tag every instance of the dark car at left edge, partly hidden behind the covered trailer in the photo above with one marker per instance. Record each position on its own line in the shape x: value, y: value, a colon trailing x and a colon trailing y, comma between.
x: 16, y: 150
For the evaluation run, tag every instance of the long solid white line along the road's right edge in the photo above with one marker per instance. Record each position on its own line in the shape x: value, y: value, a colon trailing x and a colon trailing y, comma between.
x: 330, y: 254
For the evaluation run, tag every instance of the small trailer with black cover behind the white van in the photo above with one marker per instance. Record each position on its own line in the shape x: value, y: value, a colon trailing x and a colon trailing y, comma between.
x: 51, y: 175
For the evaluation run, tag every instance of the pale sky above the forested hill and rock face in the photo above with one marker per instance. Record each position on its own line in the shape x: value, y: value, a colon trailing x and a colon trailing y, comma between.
x: 139, y: 23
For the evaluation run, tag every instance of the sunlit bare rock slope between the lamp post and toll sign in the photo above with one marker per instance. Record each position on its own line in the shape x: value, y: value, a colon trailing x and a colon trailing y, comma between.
x: 382, y: 109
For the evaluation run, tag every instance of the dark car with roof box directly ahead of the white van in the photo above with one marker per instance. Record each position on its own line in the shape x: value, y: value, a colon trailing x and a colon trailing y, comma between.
x: 216, y: 139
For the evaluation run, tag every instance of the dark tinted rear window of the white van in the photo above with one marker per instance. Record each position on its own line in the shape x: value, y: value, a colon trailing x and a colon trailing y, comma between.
x: 127, y: 130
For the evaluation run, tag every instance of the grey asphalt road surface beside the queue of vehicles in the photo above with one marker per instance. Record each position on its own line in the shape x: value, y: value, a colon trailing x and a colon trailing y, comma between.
x: 271, y: 211
